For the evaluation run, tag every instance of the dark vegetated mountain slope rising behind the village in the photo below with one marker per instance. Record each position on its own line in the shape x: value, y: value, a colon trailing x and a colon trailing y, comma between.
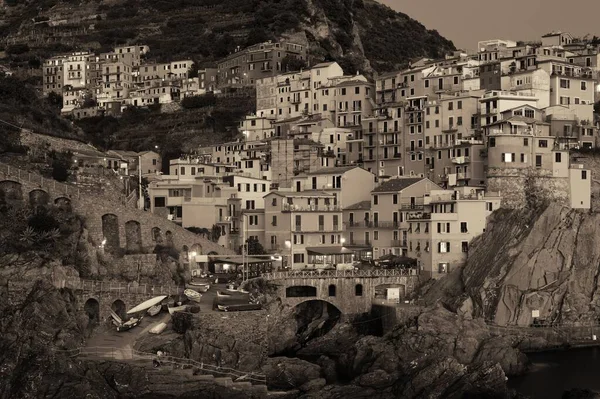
x: 360, y: 34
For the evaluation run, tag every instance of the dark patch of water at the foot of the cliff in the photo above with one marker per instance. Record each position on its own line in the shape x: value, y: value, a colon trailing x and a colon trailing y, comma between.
x: 552, y: 373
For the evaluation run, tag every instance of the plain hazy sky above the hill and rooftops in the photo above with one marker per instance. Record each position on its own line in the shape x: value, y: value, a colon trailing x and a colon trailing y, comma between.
x: 466, y: 22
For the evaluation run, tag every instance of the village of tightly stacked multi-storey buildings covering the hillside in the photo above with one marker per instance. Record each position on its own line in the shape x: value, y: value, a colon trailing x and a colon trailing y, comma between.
x: 334, y: 167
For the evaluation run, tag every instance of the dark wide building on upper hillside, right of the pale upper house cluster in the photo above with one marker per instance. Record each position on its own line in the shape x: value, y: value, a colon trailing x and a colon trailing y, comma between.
x: 245, y: 66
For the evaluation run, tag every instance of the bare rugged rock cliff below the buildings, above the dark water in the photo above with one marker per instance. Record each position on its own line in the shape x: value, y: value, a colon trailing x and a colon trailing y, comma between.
x: 544, y: 261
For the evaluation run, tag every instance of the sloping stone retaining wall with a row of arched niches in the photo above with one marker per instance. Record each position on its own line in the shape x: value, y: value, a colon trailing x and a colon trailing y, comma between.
x: 122, y: 226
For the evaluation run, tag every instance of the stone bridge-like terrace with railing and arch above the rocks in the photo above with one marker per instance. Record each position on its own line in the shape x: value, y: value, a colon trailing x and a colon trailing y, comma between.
x: 351, y: 291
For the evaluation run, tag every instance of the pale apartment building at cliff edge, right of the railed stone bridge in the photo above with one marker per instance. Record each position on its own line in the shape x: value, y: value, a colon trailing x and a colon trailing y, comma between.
x: 440, y: 231
